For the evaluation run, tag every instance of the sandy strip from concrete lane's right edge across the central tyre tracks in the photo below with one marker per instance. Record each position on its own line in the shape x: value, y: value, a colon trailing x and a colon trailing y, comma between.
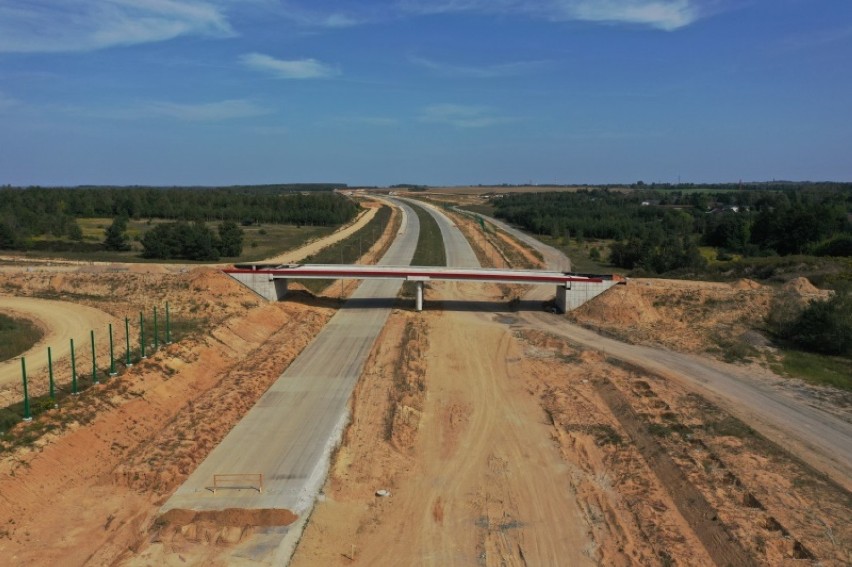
x: 468, y: 459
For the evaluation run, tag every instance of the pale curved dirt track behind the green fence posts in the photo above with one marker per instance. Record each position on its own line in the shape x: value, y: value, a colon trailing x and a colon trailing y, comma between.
x: 60, y: 320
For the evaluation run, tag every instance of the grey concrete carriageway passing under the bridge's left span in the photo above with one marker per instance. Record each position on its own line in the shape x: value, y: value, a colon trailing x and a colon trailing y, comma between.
x: 290, y: 433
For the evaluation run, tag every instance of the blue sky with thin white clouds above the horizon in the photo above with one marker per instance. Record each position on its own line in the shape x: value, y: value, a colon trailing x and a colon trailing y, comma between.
x: 413, y: 91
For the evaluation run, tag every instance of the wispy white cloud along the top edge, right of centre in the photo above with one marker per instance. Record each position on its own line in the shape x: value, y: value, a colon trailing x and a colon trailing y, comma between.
x: 661, y: 14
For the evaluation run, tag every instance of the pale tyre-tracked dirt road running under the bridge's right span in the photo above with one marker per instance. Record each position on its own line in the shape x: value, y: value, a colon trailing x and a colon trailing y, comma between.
x: 489, y: 484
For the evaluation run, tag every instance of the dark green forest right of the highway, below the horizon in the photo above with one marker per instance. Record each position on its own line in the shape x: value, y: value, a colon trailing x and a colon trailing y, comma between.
x: 659, y: 231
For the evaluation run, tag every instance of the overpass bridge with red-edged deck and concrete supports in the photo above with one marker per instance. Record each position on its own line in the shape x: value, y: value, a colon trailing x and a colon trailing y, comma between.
x: 572, y: 290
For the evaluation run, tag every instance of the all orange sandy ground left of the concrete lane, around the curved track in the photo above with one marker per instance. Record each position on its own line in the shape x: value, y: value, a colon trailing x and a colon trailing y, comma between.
x: 82, y: 485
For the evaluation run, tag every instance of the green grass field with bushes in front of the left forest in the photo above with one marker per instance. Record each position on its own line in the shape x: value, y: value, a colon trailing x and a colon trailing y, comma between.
x: 260, y: 241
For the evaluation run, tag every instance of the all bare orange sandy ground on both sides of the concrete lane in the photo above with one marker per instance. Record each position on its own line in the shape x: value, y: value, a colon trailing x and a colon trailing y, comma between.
x: 498, y: 443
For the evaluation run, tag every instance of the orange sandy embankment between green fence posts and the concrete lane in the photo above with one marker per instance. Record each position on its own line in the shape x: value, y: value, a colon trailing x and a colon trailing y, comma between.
x: 118, y: 451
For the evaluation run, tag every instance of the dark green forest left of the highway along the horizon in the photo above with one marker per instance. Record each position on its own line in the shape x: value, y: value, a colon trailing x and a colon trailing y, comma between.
x: 29, y: 213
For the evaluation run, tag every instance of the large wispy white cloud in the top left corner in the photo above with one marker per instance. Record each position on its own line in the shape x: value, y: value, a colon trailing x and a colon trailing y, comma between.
x: 85, y: 25
